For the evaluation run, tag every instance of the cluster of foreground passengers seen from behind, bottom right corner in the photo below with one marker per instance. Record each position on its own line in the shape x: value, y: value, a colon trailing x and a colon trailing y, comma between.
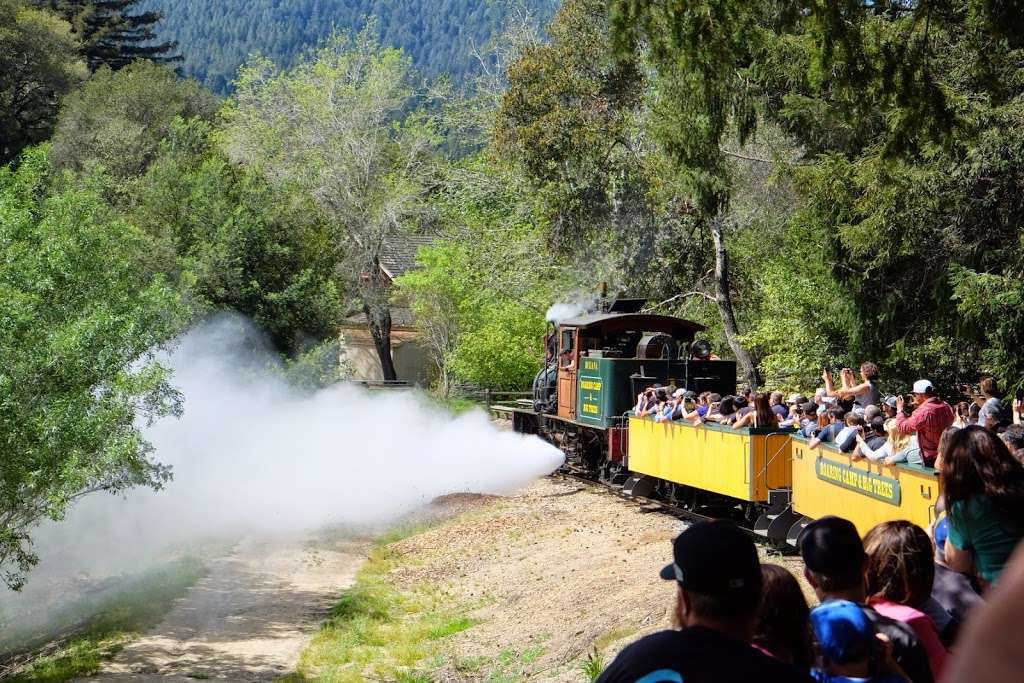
x: 890, y: 611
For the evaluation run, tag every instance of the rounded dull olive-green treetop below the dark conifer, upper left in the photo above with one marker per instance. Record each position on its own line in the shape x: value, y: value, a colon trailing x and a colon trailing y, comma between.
x: 118, y: 119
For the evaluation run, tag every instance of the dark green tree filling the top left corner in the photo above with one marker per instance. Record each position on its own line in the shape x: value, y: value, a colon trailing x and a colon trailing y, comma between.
x: 38, y: 65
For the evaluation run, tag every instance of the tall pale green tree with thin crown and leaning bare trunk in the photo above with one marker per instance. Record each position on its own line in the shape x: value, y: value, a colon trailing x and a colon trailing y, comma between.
x: 345, y: 127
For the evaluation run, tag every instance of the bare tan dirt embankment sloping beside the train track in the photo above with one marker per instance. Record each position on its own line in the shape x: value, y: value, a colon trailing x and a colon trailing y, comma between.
x: 551, y: 575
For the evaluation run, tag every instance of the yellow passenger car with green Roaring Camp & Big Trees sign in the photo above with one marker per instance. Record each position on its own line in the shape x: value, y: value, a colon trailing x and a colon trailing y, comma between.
x: 829, y: 483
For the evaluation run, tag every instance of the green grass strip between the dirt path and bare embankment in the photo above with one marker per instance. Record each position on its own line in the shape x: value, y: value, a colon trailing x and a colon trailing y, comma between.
x: 381, y: 631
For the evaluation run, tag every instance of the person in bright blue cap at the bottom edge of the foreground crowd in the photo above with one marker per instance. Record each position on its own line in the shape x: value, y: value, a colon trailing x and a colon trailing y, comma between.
x: 850, y: 647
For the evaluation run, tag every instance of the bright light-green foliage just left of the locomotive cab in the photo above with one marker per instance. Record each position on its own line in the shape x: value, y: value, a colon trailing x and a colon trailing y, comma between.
x: 480, y: 295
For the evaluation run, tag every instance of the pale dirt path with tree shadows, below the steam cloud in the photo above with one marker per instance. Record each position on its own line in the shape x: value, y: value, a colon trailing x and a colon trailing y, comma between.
x: 248, y: 620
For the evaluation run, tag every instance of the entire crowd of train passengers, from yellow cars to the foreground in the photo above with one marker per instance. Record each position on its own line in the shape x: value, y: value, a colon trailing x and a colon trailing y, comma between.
x: 903, y: 604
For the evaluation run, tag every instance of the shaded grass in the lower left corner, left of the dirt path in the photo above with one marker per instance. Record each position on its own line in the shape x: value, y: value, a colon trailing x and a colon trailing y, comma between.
x: 94, y: 629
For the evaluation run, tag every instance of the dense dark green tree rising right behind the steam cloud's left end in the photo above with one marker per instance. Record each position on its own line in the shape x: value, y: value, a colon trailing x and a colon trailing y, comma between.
x: 235, y: 242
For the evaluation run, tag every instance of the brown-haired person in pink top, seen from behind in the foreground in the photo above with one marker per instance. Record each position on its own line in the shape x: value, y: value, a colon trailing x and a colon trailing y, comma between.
x: 900, y: 575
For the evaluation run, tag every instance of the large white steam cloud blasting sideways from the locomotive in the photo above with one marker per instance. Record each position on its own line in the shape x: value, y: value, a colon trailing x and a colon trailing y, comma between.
x: 252, y: 457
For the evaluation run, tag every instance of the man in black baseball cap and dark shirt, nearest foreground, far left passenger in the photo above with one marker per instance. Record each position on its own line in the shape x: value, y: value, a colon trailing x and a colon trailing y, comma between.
x: 718, y: 592
